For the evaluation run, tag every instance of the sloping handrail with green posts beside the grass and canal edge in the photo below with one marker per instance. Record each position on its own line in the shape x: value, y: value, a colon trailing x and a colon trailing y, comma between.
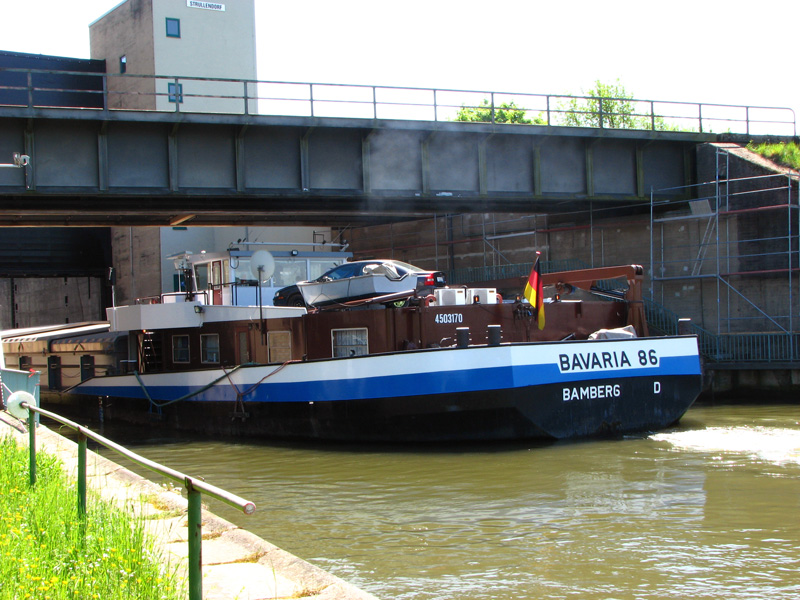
x: 193, y: 487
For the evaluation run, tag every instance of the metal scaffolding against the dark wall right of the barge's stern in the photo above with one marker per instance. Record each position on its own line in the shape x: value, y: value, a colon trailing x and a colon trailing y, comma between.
x: 728, y: 257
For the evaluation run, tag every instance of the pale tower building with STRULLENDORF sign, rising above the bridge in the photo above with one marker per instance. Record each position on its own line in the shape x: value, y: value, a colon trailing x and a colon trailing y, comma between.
x: 159, y: 52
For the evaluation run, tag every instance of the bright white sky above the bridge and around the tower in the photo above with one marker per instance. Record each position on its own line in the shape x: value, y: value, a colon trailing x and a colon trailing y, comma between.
x: 709, y: 51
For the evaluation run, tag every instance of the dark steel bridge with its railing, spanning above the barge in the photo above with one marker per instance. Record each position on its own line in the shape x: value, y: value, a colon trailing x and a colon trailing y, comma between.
x: 301, y: 153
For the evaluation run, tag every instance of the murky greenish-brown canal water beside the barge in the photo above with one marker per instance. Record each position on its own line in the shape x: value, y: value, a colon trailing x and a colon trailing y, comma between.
x: 710, y: 509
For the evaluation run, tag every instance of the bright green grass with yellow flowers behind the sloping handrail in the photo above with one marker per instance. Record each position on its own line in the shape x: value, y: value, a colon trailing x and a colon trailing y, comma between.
x: 48, y: 552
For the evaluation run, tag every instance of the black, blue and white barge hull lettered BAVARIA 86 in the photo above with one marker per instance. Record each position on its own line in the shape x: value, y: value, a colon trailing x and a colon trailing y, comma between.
x: 519, y: 391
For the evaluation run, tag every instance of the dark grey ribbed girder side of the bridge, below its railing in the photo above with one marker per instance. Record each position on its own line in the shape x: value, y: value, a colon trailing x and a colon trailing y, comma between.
x: 136, y: 168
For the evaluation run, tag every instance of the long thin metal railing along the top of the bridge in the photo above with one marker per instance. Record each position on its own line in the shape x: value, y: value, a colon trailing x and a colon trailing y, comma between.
x: 108, y: 91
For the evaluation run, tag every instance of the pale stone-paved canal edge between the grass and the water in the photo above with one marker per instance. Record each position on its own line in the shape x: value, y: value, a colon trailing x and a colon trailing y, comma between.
x: 236, y: 563
